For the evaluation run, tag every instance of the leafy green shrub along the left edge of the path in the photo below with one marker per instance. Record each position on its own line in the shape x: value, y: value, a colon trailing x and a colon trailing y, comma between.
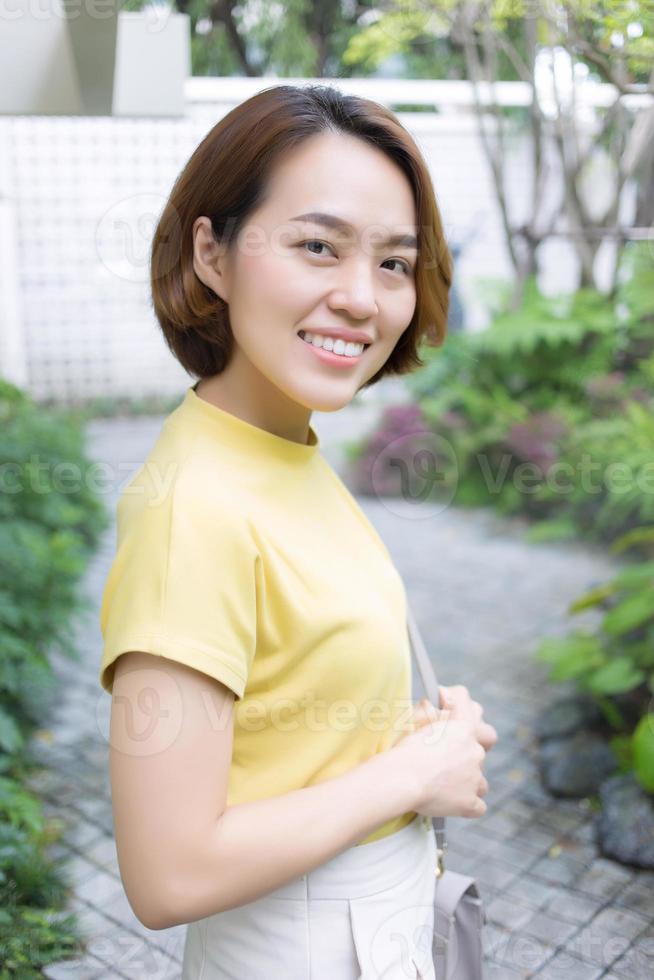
x: 49, y: 526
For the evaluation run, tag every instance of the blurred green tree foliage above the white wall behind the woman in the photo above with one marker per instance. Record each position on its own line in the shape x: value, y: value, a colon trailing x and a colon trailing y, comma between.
x: 407, y: 38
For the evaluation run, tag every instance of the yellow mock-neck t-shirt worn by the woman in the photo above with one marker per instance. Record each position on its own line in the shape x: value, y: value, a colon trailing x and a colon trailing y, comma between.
x: 243, y: 555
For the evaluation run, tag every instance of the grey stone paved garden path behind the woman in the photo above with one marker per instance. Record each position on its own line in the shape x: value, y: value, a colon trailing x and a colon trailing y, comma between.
x: 483, y: 598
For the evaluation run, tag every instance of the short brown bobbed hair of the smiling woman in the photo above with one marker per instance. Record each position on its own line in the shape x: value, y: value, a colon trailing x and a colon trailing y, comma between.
x: 225, y: 179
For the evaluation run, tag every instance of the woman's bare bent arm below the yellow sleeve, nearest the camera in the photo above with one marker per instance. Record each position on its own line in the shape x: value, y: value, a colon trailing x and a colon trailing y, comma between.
x: 183, y: 854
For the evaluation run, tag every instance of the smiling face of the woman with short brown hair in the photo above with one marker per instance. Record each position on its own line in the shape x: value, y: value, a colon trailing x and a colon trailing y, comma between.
x: 285, y: 276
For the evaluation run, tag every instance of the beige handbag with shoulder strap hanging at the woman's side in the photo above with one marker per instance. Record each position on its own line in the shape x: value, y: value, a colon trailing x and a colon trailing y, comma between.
x: 459, y: 915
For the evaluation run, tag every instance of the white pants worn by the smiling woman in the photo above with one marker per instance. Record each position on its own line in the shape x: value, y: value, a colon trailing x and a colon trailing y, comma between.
x: 366, y: 914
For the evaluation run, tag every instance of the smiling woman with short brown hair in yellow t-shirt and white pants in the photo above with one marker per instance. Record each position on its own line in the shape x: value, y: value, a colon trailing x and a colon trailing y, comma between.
x: 272, y: 781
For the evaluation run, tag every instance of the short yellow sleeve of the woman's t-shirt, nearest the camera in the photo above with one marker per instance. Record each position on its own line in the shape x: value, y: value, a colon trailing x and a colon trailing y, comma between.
x: 182, y: 584
